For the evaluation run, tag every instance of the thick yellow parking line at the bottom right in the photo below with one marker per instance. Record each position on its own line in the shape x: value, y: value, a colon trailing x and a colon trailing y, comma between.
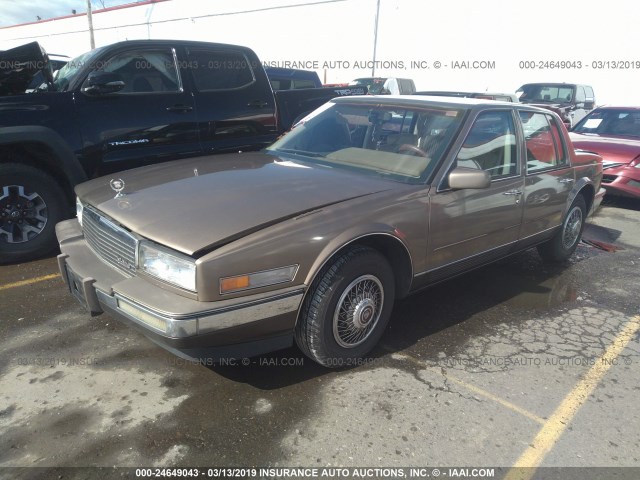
x: 525, y: 467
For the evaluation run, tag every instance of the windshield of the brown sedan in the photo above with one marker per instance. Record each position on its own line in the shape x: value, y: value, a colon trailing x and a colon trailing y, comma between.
x: 397, y: 142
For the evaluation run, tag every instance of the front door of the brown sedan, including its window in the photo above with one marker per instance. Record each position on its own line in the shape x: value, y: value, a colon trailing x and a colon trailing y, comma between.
x: 470, y: 227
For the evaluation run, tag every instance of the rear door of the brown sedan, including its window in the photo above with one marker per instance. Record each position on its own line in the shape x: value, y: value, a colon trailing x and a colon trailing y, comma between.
x: 549, y: 176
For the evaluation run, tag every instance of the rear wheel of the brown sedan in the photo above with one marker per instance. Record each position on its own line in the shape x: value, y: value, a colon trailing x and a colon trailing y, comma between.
x: 564, y: 242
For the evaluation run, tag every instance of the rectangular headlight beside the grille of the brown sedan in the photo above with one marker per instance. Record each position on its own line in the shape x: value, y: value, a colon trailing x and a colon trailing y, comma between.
x: 167, y: 265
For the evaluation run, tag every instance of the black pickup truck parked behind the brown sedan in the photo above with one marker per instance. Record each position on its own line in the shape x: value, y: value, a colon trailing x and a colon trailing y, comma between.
x: 122, y: 106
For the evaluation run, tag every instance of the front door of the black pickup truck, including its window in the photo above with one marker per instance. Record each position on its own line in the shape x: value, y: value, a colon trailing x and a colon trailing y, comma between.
x: 151, y: 119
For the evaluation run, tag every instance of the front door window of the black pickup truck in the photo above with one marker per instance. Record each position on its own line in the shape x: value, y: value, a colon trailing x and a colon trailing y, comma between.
x: 145, y: 71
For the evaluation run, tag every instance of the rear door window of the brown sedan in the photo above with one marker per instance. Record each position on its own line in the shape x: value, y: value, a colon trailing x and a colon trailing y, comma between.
x: 543, y: 141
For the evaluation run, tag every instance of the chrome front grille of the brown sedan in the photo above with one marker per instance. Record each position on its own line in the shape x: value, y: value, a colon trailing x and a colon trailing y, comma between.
x: 111, y: 242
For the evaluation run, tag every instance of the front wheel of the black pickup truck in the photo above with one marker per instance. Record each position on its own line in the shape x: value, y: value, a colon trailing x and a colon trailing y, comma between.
x: 31, y: 203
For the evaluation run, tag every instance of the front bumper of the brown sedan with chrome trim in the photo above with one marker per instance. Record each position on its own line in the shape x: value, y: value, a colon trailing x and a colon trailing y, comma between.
x: 191, y: 329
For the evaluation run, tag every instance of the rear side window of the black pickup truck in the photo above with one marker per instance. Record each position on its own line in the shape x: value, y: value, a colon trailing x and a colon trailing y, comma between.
x: 218, y: 70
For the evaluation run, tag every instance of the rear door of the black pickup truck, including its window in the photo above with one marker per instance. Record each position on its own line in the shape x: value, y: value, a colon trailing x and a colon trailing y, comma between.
x: 236, y: 106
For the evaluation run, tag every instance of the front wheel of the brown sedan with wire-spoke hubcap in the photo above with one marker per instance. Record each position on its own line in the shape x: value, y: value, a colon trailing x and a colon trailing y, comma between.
x: 347, y: 308
